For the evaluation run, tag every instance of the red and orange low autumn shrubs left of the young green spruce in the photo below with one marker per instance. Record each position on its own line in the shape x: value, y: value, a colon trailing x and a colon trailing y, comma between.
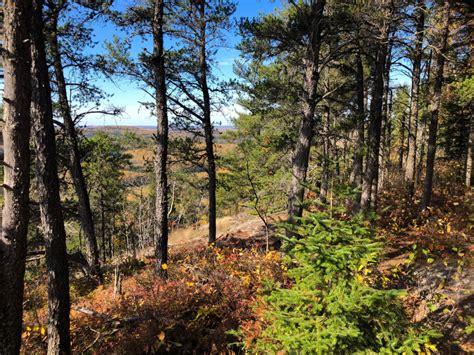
x: 209, y: 292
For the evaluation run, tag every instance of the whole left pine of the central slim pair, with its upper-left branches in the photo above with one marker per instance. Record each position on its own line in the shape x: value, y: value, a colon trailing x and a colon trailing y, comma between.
x: 150, y: 71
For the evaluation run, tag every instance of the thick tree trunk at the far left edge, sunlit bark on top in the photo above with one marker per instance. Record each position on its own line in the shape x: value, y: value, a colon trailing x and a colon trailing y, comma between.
x: 16, y: 162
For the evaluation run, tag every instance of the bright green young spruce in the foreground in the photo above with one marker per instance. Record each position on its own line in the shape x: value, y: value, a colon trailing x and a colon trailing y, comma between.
x: 330, y: 307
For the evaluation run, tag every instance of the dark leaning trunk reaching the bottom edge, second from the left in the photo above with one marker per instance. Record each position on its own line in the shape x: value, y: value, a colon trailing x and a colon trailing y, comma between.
x: 48, y: 193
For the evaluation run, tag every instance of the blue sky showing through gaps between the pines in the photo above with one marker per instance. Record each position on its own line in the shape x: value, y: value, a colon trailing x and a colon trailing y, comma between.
x: 126, y: 94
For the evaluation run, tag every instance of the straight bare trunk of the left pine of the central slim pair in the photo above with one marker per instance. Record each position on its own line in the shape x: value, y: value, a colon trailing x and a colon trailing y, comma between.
x: 161, y: 157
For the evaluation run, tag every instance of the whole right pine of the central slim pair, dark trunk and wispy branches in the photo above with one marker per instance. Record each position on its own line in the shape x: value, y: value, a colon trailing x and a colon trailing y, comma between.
x: 196, y: 91
